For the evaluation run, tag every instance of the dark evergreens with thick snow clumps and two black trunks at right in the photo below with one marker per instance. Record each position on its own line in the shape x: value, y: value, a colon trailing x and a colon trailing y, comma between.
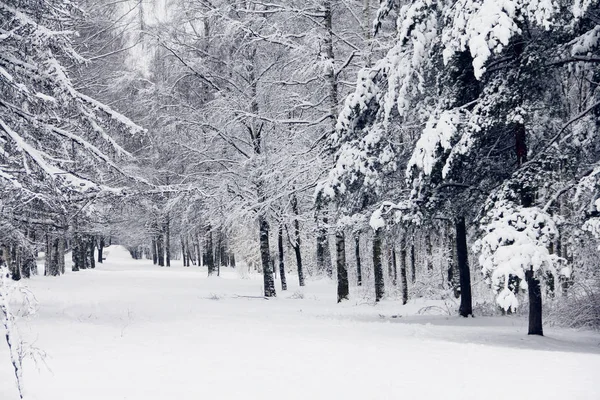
x: 491, y: 112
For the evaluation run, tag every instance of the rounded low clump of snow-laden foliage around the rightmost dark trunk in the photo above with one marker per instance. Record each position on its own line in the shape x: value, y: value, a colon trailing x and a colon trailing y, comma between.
x: 516, y: 240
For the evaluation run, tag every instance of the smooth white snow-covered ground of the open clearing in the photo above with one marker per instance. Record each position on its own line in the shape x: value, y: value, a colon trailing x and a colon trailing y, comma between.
x: 131, y: 330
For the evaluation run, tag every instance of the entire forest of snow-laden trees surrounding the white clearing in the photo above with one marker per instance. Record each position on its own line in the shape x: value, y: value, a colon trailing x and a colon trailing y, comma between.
x: 401, y: 138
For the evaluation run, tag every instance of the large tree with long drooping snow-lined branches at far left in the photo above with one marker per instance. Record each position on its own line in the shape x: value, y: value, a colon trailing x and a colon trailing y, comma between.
x: 60, y: 147
